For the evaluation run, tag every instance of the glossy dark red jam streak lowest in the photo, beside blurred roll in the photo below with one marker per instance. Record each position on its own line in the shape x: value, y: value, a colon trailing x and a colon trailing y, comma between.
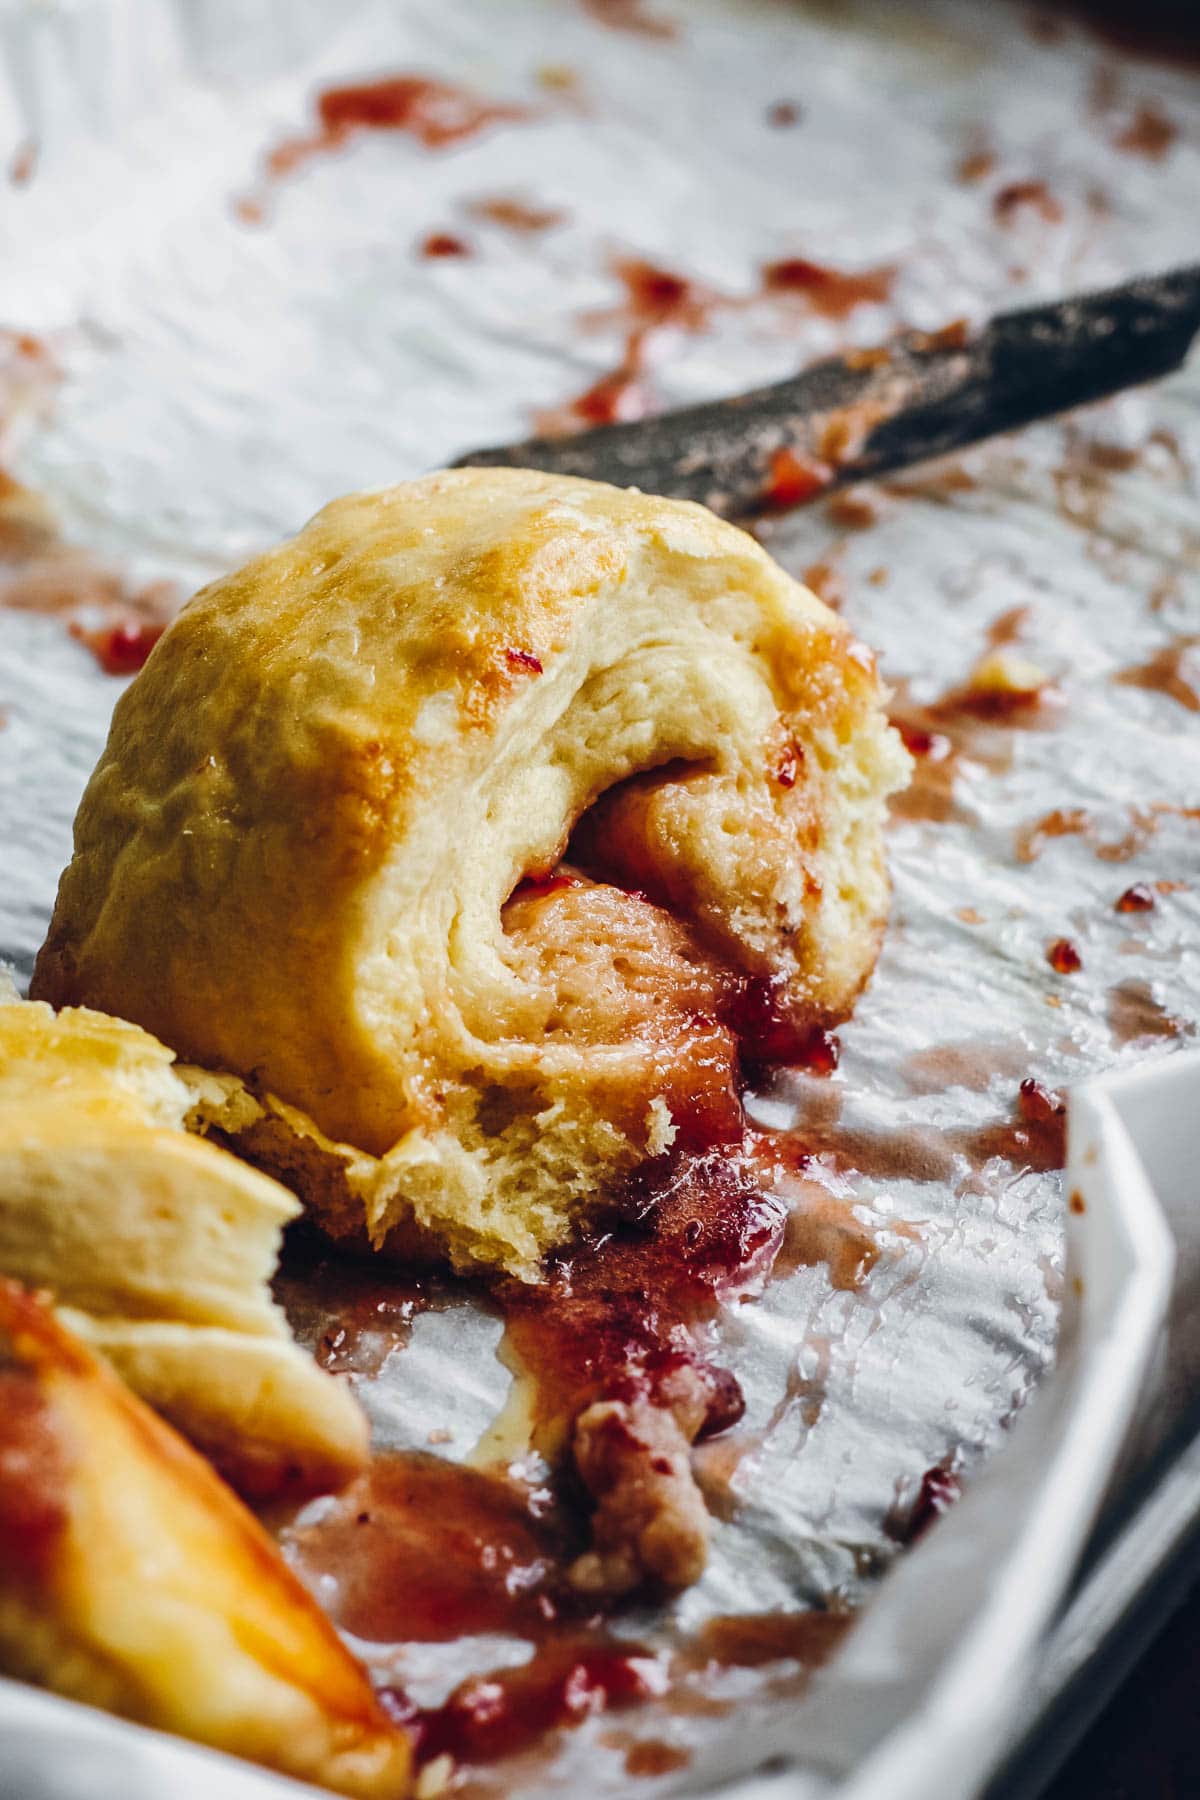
x: 499, y: 1714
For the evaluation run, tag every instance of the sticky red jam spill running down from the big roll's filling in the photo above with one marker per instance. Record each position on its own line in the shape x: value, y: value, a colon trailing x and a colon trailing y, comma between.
x: 622, y: 1329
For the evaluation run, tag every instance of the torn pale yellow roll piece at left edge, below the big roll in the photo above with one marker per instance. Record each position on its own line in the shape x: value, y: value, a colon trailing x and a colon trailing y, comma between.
x: 159, y: 1248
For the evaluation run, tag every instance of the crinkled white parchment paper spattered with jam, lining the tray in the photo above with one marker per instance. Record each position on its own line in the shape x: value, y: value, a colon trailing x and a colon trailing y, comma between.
x: 222, y: 379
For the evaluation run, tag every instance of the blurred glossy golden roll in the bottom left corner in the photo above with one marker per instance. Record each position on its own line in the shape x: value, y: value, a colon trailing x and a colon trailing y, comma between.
x: 130, y: 1578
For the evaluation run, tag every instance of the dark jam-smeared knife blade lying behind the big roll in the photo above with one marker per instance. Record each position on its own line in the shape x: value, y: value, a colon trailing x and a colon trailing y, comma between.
x: 870, y: 413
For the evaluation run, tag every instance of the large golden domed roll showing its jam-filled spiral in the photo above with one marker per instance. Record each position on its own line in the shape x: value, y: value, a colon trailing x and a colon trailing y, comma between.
x: 301, y: 856
